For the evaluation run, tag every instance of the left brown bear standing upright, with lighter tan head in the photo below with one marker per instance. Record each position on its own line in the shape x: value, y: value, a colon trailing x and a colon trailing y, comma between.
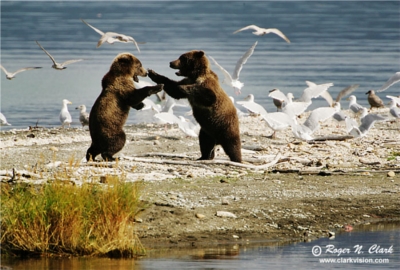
x: 110, y: 111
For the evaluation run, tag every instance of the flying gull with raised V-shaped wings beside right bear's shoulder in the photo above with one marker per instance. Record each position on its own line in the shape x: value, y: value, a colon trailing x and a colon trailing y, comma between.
x: 233, y: 80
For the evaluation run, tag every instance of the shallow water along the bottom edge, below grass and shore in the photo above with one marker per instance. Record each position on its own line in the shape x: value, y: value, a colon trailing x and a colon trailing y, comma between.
x: 374, y: 246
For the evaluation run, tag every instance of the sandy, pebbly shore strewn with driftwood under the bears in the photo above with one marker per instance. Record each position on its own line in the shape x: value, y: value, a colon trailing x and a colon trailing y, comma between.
x: 308, y: 190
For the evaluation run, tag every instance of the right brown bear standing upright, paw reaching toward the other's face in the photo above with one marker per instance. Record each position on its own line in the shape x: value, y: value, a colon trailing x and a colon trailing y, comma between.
x: 212, y: 108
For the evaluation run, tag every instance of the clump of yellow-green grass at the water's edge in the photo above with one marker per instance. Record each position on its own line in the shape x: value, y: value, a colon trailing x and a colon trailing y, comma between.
x: 59, y: 218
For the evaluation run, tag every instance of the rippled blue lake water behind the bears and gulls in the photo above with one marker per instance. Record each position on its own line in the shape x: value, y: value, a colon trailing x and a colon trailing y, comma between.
x: 343, y: 42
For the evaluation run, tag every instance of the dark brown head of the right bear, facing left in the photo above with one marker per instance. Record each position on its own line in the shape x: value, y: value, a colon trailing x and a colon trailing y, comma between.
x: 191, y: 64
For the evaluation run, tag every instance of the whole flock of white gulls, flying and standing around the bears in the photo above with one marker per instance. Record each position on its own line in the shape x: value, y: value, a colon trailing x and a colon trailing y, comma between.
x: 288, y: 112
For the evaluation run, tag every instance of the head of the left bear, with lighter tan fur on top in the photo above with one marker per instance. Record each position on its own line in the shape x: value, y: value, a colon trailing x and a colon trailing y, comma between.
x: 126, y: 64
